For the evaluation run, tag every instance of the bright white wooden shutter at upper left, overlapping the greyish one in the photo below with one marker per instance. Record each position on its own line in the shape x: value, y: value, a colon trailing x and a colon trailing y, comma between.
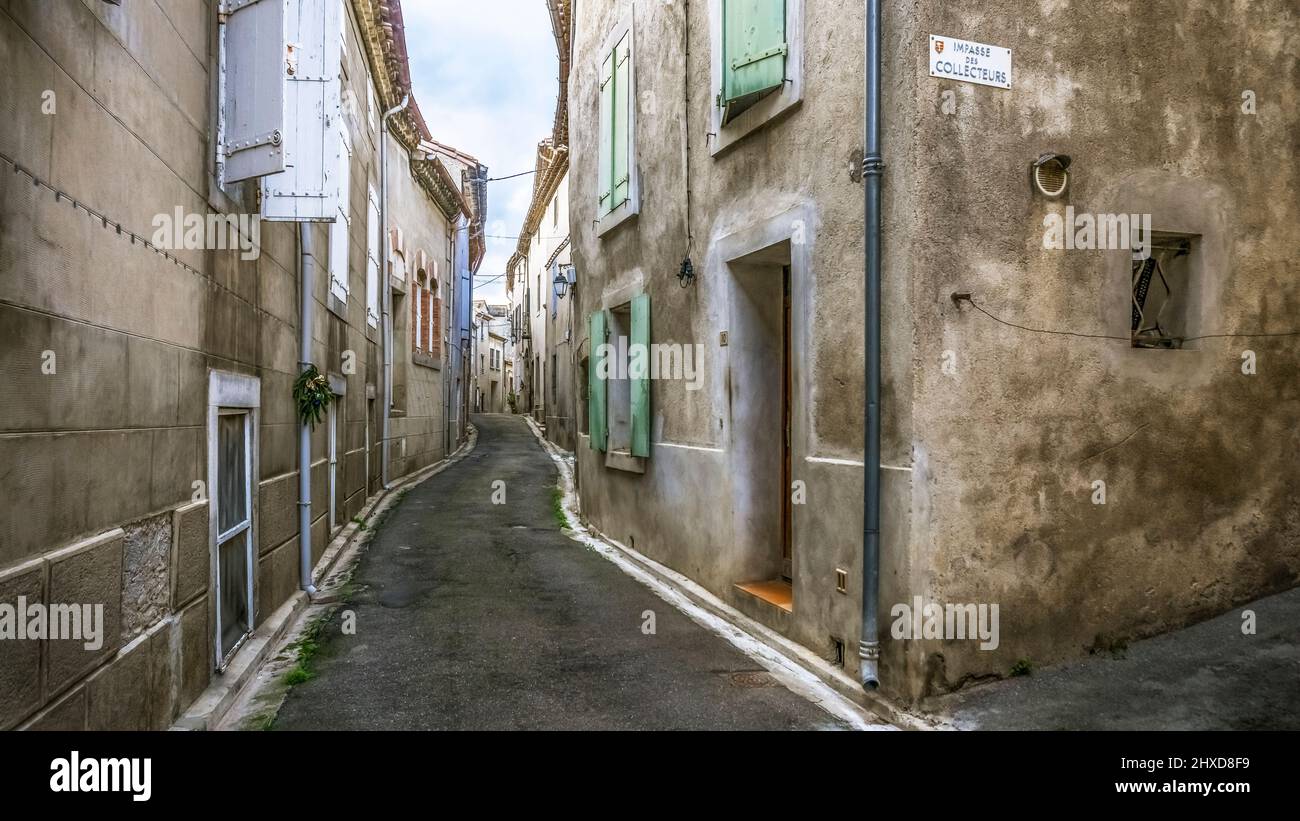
x: 304, y: 190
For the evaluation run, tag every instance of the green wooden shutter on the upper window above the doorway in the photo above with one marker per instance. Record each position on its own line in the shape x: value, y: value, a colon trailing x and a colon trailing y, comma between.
x: 755, y: 53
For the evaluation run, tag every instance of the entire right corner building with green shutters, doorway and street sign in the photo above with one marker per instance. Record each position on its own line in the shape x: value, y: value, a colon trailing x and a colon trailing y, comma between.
x: 1097, y: 475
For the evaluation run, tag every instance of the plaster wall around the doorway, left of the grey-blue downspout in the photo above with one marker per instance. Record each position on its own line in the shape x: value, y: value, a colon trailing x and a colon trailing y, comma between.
x: 700, y: 507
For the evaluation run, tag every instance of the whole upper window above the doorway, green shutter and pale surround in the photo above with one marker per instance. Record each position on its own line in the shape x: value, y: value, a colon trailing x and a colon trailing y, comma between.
x: 757, y: 66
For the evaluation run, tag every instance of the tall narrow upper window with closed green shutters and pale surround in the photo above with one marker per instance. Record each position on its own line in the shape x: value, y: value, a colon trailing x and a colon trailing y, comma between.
x: 617, y: 180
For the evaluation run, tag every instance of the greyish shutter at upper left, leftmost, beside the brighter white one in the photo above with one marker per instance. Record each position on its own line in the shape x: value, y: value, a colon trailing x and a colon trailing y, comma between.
x: 253, y: 107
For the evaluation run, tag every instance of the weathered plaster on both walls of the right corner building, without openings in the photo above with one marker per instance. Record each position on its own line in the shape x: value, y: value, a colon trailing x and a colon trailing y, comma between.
x: 987, y: 489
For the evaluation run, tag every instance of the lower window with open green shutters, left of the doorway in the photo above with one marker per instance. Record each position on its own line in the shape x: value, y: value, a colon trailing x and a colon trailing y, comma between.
x: 618, y: 384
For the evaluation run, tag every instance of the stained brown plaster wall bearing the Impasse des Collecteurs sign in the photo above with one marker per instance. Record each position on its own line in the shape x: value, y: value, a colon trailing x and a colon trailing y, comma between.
x: 1202, y: 483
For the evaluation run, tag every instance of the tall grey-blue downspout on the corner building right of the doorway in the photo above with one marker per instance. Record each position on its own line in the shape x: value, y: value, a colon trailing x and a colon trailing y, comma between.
x: 873, y: 170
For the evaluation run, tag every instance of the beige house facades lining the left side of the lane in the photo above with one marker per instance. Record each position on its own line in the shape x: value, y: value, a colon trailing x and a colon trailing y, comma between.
x: 150, y: 422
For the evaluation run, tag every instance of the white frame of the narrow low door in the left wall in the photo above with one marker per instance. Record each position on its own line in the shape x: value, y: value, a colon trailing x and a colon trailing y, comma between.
x: 232, y: 394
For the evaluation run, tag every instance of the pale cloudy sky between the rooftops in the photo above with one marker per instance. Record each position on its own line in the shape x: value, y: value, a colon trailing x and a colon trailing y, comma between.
x: 486, y: 77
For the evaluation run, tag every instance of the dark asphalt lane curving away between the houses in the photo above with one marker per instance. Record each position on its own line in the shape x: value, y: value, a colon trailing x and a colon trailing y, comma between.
x: 473, y: 615
